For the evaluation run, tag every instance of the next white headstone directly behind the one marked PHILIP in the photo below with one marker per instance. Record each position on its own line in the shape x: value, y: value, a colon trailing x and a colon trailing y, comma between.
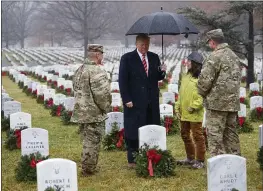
x: 20, y: 119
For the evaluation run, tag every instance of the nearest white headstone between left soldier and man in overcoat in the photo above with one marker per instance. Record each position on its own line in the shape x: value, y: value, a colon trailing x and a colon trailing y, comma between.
x: 114, y: 117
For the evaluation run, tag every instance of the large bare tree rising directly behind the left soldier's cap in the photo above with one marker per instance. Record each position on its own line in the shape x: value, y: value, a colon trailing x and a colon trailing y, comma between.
x: 85, y: 21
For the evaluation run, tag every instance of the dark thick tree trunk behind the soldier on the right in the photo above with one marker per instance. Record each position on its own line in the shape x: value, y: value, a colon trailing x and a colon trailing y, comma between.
x: 250, y: 58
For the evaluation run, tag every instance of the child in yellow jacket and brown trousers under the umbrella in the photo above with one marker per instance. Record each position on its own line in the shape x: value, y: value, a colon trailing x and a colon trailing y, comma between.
x: 189, y: 111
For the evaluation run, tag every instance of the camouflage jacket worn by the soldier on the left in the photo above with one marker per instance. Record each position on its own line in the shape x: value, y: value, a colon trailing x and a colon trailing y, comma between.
x: 92, y: 94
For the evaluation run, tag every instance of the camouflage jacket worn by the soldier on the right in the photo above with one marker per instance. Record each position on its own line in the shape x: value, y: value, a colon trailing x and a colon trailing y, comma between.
x: 219, y: 81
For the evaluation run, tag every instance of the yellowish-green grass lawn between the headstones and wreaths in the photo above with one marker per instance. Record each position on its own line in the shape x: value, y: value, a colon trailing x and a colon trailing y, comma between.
x: 64, y: 142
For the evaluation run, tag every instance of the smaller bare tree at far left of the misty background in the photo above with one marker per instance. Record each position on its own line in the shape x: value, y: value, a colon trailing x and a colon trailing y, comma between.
x: 22, y: 14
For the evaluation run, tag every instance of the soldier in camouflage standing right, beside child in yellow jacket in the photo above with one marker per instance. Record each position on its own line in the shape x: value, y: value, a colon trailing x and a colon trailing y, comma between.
x: 219, y: 84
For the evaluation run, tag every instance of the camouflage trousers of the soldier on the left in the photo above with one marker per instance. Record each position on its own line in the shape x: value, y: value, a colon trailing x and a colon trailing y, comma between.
x: 91, y: 134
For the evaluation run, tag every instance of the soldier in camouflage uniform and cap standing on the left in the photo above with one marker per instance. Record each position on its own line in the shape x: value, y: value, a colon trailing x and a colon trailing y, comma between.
x: 92, y: 103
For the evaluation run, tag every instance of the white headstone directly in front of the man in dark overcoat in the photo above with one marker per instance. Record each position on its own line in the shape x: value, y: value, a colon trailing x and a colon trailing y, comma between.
x: 152, y: 135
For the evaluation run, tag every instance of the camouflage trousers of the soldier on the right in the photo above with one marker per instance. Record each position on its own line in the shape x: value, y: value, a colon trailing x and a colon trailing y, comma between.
x: 222, y: 132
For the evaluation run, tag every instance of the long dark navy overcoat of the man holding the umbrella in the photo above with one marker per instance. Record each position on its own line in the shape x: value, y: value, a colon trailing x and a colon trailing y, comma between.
x: 141, y: 89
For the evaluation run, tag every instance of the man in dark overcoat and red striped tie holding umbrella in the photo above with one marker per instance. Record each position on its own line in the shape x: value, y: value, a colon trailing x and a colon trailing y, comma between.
x: 139, y: 73
